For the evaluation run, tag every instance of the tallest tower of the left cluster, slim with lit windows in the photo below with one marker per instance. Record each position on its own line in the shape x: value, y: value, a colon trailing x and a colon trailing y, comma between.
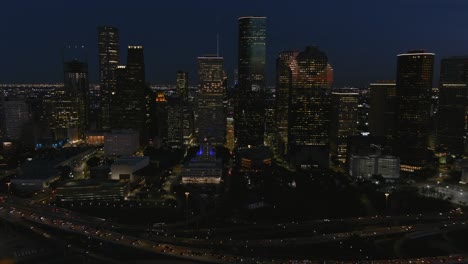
x: 108, y: 45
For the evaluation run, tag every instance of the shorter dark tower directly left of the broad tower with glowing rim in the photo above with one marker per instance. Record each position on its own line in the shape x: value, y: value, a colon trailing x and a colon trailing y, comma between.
x: 382, y: 109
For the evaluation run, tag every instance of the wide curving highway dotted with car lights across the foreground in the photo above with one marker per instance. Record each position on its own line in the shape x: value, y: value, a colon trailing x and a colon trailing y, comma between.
x: 201, y: 249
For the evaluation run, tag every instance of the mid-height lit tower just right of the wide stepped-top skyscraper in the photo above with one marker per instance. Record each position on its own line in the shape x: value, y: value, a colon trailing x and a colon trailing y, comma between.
x: 343, y: 122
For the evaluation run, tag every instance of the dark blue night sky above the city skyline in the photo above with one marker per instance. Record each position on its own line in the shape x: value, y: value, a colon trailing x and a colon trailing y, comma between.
x: 361, y: 38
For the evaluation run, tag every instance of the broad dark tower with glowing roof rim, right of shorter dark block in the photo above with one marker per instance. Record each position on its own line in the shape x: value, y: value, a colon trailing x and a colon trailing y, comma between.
x: 413, y: 91
